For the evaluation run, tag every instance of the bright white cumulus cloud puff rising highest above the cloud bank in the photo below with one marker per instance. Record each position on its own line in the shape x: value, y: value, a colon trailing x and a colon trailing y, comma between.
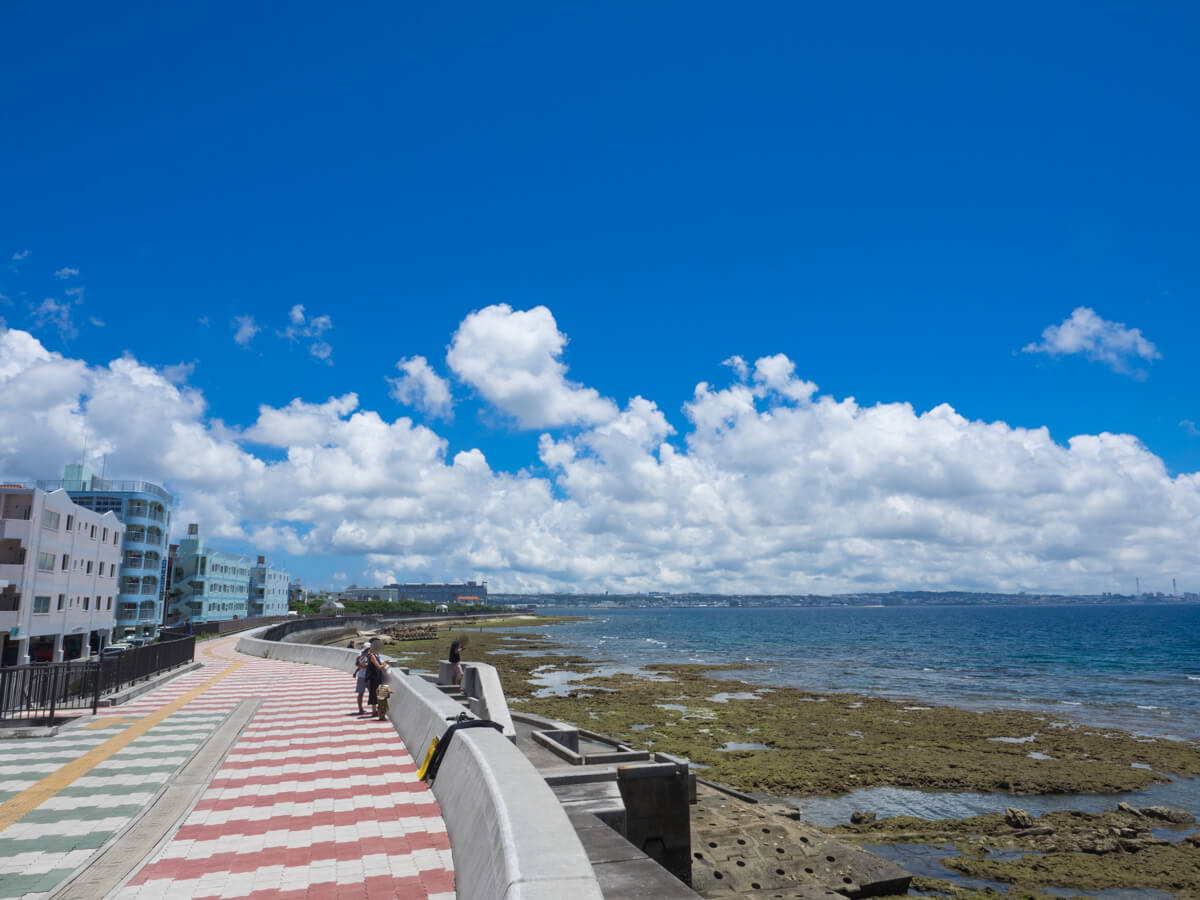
x: 513, y: 359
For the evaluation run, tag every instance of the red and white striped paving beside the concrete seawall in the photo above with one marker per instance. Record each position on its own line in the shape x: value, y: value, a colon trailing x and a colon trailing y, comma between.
x: 313, y: 801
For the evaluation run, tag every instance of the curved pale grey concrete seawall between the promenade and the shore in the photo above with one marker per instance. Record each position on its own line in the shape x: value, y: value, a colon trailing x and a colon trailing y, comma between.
x: 509, y: 836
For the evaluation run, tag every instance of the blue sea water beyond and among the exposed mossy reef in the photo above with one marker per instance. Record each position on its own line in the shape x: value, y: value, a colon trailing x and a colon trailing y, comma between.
x: 1135, y: 668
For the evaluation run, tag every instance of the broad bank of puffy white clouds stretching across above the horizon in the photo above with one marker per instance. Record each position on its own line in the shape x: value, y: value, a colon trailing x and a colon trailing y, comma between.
x: 773, y: 487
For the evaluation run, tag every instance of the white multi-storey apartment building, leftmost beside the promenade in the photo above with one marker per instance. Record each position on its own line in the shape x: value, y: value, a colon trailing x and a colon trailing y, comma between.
x: 58, y: 577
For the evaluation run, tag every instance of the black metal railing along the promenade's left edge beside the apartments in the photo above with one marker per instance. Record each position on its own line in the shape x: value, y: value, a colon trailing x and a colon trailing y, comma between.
x: 40, y: 692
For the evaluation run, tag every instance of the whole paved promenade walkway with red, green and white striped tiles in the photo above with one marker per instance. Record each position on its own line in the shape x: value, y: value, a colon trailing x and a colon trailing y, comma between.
x: 311, y: 801
